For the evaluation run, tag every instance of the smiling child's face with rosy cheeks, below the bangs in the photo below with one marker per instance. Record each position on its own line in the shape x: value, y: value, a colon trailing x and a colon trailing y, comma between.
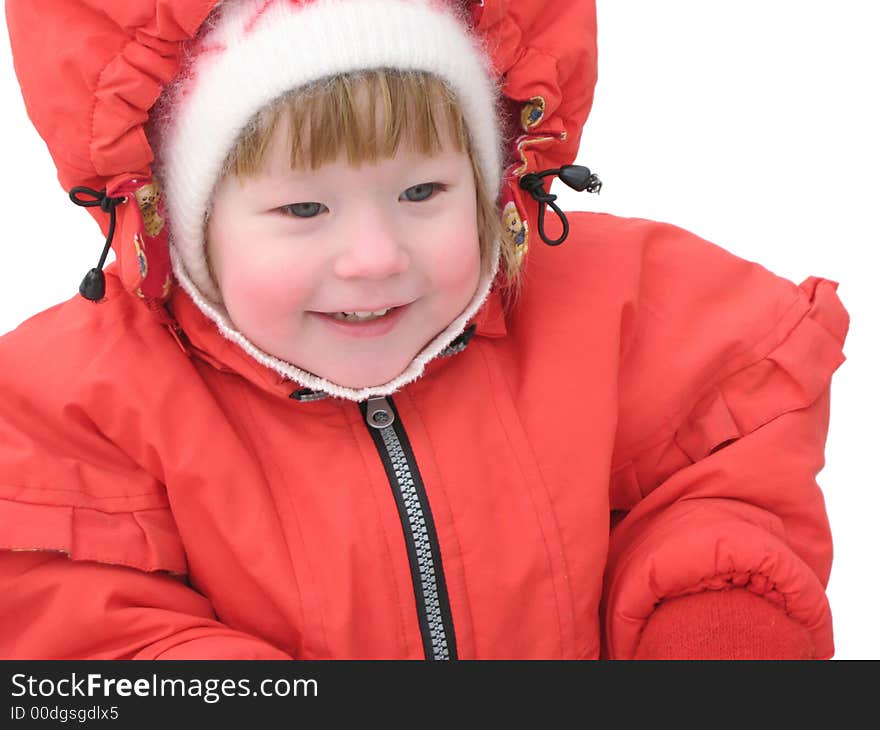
x: 288, y: 247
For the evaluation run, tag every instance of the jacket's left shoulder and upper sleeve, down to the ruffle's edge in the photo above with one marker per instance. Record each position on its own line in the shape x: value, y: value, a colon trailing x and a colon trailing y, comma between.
x: 80, y: 468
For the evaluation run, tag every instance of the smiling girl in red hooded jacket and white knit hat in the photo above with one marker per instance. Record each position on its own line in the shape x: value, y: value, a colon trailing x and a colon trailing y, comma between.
x: 355, y: 386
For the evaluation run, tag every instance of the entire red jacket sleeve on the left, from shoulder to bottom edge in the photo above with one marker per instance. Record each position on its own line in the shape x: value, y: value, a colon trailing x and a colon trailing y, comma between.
x: 91, y: 562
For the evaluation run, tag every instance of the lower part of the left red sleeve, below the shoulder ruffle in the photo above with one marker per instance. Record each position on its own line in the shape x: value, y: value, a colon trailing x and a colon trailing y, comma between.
x: 52, y: 607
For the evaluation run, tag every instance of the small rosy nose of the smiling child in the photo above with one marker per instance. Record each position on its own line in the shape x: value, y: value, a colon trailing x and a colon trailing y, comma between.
x: 374, y: 249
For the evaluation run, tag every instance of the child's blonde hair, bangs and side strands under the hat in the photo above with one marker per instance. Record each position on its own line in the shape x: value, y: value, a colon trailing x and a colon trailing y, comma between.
x: 324, y: 120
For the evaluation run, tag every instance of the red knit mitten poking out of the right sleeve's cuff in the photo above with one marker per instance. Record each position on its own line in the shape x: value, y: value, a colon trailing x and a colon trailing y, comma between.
x: 727, y: 624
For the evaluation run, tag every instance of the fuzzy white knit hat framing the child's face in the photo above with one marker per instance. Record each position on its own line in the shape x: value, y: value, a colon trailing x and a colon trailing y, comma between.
x: 251, y: 53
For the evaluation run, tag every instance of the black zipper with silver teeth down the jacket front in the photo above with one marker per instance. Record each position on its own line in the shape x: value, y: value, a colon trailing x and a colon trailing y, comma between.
x: 429, y: 585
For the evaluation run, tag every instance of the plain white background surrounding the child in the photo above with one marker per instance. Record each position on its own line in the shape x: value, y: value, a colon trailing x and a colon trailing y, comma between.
x: 753, y: 124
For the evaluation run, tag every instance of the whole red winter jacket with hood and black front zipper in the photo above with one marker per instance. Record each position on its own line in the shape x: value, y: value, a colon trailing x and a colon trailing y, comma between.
x: 175, y: 501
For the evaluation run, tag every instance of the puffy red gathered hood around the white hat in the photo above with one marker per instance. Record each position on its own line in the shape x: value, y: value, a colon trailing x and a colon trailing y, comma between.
x: 90, y: 72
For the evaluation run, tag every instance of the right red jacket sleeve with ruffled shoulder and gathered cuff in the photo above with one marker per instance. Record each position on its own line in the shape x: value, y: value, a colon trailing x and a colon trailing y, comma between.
x: 724, y: 409
